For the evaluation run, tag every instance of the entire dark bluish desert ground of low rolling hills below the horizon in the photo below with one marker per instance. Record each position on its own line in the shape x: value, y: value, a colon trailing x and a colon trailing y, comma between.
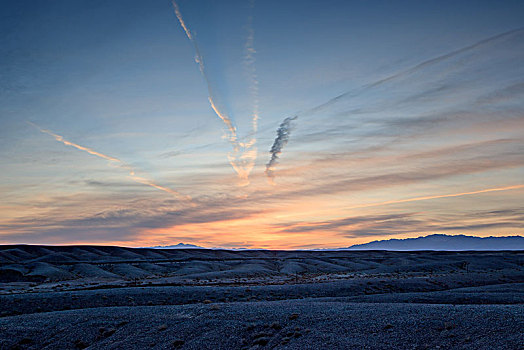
x: 96, y: 297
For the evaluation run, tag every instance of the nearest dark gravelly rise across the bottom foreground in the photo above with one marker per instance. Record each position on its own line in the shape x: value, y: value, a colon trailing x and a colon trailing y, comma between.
x: 298, y: 324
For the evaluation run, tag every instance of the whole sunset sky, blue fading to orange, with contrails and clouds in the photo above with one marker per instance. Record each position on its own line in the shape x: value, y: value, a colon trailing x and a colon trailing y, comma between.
x: 260, y: 124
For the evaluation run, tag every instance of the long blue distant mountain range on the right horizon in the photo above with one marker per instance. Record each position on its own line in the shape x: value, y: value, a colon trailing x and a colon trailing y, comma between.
x: 445, y: 242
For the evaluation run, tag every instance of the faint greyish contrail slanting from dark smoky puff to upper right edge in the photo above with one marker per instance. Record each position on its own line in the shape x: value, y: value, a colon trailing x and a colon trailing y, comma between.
x: 414, y: 69
